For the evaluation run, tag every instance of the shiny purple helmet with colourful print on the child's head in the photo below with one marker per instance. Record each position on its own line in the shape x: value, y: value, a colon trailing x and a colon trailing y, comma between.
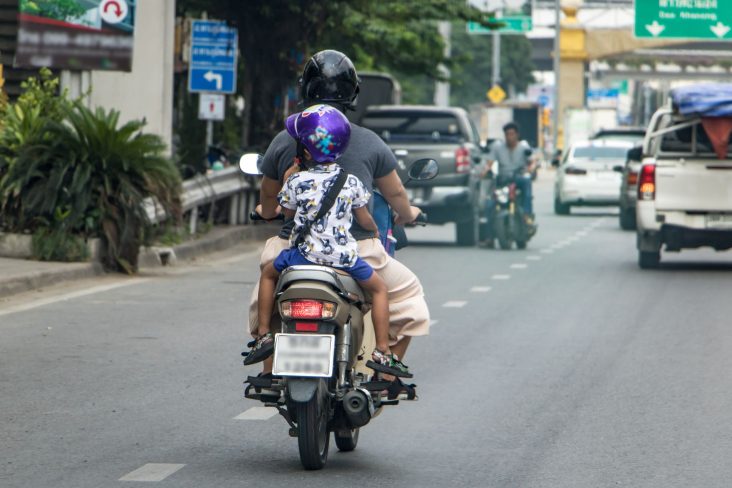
x: 323, y: 130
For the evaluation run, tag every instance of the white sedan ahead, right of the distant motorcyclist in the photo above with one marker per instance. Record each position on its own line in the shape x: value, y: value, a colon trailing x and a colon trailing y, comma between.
x: 587, y: 175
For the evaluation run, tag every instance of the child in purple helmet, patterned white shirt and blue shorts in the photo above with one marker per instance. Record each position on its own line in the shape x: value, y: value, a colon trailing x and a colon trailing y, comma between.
x: 324, y: 132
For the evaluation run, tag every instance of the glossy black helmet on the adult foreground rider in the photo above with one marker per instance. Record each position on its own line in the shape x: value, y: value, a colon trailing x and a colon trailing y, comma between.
x: 329, y: 77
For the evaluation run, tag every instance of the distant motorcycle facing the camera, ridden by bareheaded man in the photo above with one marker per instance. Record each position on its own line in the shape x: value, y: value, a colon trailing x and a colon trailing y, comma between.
x: 507, y: 218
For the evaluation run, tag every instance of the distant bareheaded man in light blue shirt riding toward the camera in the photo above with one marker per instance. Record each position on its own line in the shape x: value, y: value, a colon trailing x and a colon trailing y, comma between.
x: 515, y: 160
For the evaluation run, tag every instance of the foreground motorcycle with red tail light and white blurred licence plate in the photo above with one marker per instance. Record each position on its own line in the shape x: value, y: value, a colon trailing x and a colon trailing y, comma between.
x: 320, y: 382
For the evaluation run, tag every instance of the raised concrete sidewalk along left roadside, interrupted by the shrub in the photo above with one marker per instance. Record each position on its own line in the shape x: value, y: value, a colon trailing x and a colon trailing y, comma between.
x: 20, y: 275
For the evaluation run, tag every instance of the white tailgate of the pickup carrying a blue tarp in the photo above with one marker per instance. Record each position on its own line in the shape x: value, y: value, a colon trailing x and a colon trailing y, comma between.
x: 694, y: 185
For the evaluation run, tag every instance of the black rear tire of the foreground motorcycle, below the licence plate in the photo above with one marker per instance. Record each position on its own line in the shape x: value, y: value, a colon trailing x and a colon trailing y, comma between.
x: 313, y: 438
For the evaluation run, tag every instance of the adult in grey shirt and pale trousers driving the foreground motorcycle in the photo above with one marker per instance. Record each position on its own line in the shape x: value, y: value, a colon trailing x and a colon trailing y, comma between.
x: 329, y: 77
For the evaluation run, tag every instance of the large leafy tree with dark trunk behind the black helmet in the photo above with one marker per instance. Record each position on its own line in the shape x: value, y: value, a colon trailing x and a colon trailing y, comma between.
x: 276, y: 37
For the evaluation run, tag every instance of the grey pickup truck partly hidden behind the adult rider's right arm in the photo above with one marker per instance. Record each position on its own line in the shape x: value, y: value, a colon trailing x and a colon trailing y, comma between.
x: 447, y: 135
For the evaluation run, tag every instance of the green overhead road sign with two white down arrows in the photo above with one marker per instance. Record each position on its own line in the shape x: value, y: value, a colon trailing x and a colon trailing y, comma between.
x: 684, y: 19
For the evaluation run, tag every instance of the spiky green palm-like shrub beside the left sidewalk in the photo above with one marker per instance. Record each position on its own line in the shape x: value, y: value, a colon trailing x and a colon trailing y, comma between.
x: 99, y: 173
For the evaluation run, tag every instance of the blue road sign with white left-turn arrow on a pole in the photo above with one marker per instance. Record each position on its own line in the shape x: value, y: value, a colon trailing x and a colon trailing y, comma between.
x: 213, y: 57
